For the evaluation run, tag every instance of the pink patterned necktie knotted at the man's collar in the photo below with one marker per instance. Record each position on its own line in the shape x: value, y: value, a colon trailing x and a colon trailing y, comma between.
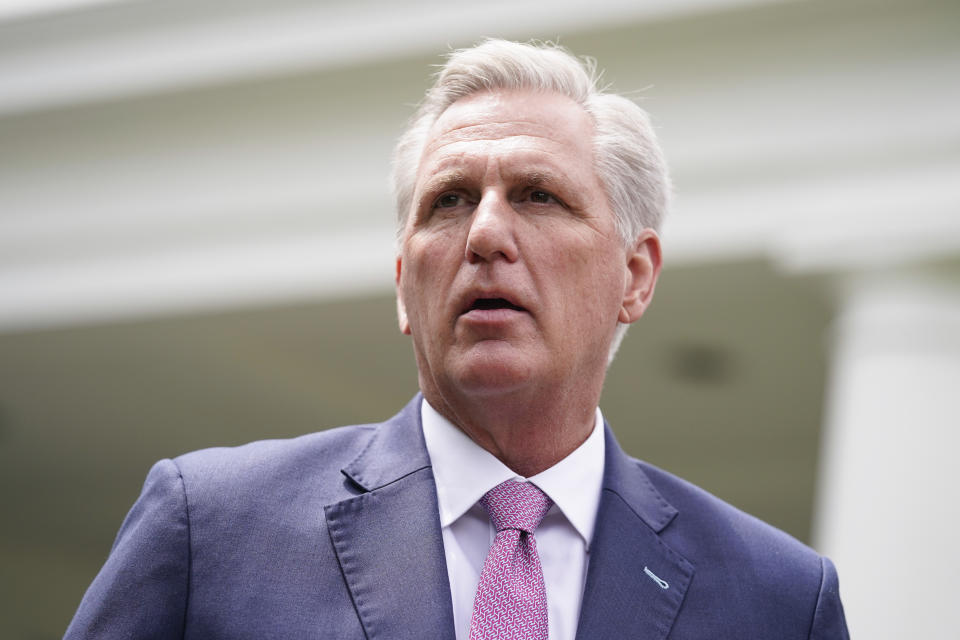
x: 511, y: 602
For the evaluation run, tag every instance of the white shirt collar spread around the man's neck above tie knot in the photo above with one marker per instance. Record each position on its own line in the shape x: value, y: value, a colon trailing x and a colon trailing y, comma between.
x: 464, y: 471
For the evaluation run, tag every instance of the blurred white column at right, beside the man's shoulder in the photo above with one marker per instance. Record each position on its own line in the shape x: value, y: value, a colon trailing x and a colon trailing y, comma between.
x: 888, y: 510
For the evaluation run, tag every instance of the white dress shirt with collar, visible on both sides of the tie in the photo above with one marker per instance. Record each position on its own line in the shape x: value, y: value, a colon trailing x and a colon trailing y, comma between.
x: 464, y: 472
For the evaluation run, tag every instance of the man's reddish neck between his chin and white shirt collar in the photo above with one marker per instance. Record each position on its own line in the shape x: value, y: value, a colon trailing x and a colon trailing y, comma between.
x: 528, y: 435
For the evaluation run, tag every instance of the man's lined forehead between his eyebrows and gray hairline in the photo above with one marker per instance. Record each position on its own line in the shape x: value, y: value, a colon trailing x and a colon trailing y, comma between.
x: 530, y: 126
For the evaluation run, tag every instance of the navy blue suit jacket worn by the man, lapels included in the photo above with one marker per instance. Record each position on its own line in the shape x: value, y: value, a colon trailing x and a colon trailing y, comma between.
x: 337, y: 535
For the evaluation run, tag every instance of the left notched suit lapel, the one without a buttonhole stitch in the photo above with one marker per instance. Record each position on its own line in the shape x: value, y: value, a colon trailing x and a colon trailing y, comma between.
x: 388, y: 538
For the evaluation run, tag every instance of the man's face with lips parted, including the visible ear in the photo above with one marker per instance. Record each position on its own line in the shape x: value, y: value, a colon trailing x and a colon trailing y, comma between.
x: 511, y: 273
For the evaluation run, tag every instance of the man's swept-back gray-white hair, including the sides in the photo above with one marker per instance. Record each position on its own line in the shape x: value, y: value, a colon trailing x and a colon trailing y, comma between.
x: 627, y: 157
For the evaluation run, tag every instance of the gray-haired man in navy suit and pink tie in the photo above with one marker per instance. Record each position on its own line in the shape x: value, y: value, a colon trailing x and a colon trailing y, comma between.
x: 497, y: 504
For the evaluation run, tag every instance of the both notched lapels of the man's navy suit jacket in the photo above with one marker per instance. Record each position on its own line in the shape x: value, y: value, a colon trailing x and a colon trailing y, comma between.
x: 390, y: 547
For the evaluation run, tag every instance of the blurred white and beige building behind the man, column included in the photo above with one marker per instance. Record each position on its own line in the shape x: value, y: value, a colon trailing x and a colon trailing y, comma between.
x: 196, y: 249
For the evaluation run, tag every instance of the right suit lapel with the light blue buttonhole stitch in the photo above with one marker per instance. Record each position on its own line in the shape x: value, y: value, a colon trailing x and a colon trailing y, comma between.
x: 635, y: 583
